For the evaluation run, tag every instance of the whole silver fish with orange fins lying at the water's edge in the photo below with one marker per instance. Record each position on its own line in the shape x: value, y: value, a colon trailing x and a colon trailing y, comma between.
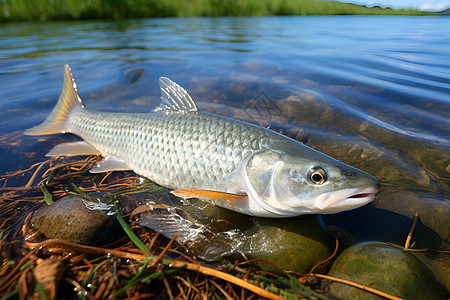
x: 232, y: 164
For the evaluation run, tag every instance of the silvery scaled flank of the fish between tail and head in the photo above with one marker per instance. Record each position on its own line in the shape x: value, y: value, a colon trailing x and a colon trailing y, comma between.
x: 173, y: 150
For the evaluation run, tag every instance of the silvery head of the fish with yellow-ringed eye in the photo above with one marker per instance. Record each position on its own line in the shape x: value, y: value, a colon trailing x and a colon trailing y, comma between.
x: 305, y: 181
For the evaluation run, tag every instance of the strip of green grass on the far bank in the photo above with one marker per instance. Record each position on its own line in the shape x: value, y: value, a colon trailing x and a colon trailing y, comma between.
x: 42, y: 10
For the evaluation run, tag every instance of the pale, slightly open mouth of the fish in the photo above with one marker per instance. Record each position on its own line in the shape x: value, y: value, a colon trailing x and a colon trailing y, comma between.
x: 336, y: 201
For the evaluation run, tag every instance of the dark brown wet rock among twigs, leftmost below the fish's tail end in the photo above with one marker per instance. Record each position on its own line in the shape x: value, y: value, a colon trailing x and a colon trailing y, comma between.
x: 79, y: 219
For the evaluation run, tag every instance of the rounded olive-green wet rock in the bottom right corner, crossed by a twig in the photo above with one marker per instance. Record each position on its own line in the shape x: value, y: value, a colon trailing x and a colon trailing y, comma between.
x: 384, y: 268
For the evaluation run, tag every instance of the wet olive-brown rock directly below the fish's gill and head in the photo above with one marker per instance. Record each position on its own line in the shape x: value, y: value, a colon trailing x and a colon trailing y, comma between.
x: 295, y: 244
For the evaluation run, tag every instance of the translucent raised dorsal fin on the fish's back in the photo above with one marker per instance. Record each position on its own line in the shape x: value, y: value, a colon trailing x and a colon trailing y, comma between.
x: 174, y: 99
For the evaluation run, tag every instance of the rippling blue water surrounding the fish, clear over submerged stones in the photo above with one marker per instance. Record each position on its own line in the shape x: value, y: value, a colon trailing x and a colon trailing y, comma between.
x: 371, y: 91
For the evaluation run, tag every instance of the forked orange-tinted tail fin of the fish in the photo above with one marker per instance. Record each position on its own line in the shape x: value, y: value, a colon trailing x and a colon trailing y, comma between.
x: 68, y: 100
